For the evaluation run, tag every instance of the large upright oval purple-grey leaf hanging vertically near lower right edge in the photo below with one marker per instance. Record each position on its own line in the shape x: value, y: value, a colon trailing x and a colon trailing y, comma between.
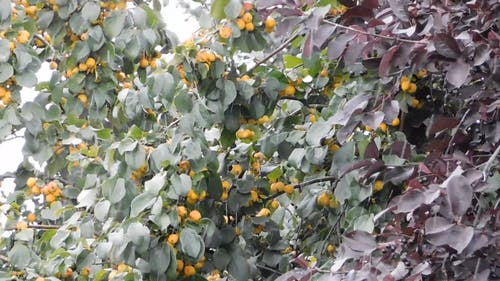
x: 459, y: 194
